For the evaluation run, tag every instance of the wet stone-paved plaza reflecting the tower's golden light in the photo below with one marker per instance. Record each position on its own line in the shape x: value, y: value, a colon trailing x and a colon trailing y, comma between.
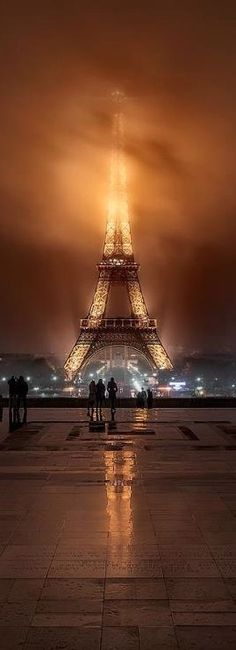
x: 122, y: 539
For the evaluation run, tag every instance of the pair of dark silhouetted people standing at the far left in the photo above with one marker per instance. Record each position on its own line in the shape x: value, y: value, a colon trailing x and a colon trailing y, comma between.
x: 18, y: 390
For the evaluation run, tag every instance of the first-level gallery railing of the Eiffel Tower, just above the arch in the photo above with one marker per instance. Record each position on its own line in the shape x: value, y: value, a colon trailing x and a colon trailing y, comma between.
x: 114, y: 323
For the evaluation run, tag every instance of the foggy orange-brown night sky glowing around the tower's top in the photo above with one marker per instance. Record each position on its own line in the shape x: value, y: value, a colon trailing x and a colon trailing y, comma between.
x: 176, y: 61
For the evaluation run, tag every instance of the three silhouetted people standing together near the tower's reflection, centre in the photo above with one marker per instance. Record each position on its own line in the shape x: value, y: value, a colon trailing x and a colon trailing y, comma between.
x: 97, y: 394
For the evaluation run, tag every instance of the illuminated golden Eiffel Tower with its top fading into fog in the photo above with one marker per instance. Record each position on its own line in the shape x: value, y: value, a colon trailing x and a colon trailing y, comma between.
x: 117, y: 265
